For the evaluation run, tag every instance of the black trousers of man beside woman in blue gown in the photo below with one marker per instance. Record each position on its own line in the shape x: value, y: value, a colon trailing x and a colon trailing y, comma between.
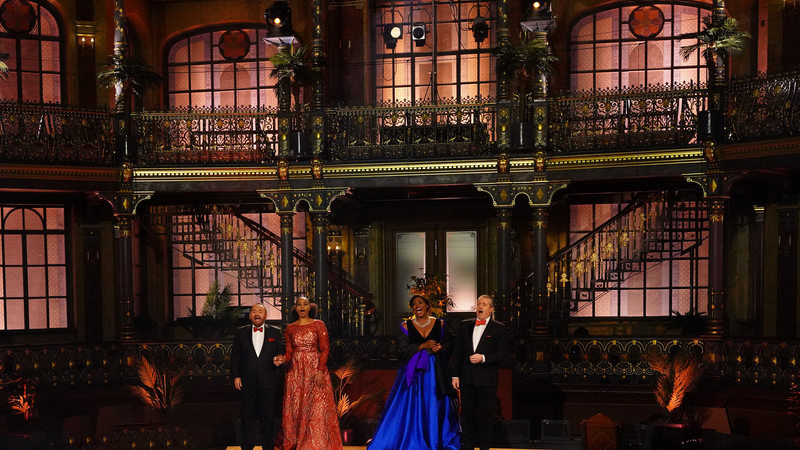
x: 477, y: 407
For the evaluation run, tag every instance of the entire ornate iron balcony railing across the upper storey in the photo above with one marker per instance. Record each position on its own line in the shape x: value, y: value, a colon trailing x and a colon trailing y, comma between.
x: 630, y: 119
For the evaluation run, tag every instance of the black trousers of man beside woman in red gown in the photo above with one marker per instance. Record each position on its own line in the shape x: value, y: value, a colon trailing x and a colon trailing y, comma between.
x: 258, y: 404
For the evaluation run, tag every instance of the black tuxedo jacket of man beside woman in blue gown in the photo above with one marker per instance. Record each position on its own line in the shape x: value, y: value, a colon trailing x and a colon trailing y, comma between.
x: 493, y: 346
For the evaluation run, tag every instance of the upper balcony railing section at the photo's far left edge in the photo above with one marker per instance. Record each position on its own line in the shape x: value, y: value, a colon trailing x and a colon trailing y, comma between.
x: 55, y: 134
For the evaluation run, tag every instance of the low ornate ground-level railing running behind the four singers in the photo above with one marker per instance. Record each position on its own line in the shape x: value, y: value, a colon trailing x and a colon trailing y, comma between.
x: 746, y: 362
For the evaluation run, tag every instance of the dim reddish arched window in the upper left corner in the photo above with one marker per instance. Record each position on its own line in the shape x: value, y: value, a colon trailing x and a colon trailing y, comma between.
x: 30, y: 34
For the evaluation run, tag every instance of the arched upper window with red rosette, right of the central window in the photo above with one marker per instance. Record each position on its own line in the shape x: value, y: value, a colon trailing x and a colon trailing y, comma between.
x: 633, y: 46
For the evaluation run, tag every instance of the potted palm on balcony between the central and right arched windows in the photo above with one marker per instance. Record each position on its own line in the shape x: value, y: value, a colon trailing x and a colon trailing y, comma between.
x: 524, y: 62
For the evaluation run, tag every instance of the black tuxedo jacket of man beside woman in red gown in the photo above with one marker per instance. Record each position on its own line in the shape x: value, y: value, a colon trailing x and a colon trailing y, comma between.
x: 255, y: 370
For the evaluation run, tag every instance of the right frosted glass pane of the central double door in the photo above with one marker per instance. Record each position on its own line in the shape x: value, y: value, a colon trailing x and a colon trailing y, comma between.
x: 462, y: 269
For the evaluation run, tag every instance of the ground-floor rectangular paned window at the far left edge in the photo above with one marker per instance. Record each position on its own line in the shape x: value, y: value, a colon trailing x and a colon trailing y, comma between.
x: 33, y: 268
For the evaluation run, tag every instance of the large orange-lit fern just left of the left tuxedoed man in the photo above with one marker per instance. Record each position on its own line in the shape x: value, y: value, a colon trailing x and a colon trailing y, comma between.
x: 161, y: 389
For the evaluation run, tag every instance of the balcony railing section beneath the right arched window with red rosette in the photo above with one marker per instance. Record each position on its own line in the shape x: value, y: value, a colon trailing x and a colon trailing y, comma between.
x: 641, y: 117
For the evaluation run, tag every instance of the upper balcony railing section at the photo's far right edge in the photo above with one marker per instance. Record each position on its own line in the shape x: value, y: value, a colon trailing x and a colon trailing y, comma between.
x: 764, y: 107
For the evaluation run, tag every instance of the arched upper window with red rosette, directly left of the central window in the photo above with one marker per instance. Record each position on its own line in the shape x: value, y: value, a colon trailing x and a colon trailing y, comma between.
x: 223, y: 67
